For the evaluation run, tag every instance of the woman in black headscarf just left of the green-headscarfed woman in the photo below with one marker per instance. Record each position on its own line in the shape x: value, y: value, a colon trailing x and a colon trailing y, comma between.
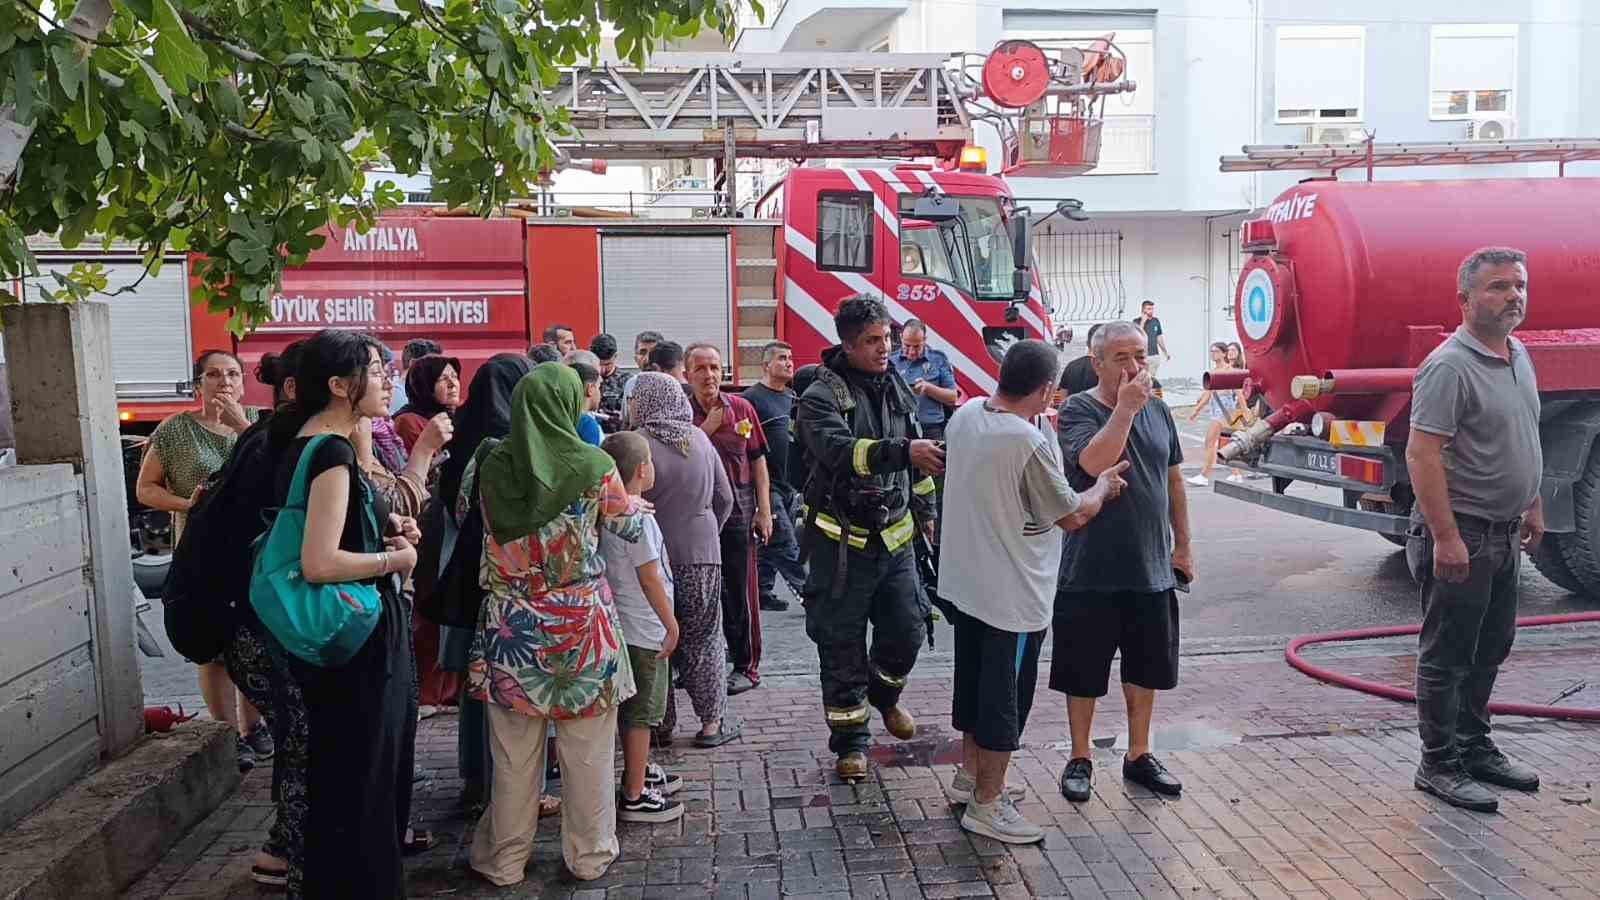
x: 486, y: 417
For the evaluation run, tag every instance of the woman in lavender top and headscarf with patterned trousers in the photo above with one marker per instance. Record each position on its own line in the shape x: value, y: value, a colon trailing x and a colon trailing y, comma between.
x: 694, y: 502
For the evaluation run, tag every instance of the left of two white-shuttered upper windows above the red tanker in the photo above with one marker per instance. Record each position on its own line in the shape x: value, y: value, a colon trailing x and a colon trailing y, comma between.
x: 1321, y: 74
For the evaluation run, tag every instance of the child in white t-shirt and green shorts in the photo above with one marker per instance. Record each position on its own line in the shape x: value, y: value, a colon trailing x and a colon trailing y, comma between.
x: 642, y: 585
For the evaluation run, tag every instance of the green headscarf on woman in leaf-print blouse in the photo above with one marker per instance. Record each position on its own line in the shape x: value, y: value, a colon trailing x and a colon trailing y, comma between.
x: 542, y: 467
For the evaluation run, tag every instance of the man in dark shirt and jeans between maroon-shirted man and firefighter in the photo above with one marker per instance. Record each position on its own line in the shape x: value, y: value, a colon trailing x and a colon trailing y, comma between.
x: 775, y: 404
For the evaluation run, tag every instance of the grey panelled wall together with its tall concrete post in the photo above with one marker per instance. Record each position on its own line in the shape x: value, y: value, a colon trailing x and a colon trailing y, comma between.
x: 70, y: 675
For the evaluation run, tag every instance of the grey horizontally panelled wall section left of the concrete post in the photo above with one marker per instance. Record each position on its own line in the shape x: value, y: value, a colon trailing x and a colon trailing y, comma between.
x: 49, y: 709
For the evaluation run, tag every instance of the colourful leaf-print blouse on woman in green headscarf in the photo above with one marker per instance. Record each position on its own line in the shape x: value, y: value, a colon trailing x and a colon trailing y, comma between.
x: 550, y: 641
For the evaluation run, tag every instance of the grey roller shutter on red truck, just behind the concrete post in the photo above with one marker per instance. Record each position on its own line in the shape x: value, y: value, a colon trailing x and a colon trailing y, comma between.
x: 150, y: 326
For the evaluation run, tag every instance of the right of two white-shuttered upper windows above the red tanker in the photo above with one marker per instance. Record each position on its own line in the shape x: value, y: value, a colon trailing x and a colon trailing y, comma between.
x: 1473, y: 70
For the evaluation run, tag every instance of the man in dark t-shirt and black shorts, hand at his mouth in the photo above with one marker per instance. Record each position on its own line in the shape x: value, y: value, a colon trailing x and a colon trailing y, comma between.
x: 1119, y: 574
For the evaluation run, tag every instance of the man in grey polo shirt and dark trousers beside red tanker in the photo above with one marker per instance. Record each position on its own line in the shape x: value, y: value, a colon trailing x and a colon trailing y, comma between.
x: 1476, y: 464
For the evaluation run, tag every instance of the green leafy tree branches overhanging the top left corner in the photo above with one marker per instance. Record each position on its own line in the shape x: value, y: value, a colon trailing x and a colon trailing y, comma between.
x: 239, y: 131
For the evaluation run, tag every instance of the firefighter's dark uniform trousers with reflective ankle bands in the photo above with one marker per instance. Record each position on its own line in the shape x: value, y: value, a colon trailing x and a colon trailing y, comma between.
x: 881, y: 590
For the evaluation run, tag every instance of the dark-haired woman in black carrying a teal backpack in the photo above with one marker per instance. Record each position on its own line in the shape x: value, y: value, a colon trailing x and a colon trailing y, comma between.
x: 358, y: 680
